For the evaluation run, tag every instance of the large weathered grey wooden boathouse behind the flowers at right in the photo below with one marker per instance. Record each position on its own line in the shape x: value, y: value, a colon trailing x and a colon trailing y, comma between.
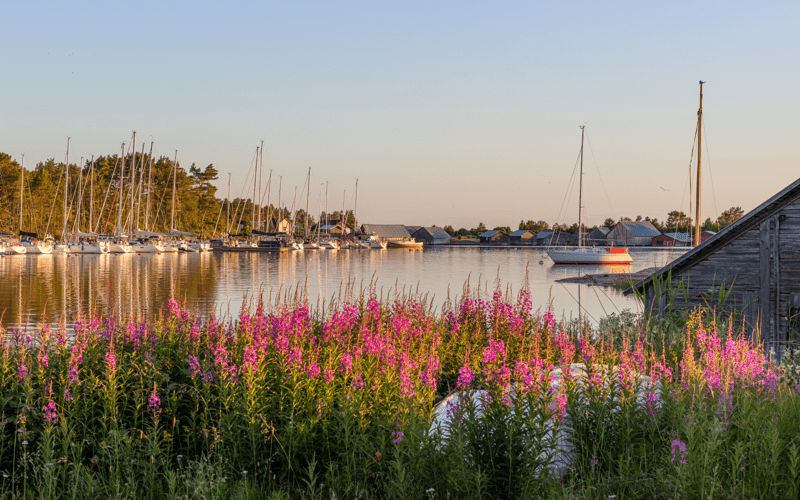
x: 751, y: 266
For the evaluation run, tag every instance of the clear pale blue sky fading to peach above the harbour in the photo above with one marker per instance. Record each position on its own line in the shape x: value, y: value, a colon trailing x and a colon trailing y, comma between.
x: 446, y: 112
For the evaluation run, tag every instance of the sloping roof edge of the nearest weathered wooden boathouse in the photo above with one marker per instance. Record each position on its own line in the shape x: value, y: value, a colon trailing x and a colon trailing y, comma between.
x: 722, y: 238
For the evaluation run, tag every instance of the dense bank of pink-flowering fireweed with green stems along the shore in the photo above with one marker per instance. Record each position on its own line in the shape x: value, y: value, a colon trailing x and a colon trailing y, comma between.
x: 285, y: 402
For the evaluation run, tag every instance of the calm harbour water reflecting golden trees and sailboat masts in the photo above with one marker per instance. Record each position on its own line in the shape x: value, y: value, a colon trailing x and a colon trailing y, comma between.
x: 47, y: 288
